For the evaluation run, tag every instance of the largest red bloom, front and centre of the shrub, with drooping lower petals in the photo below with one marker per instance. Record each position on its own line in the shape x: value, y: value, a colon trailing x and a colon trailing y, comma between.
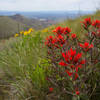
x: 72, y: 60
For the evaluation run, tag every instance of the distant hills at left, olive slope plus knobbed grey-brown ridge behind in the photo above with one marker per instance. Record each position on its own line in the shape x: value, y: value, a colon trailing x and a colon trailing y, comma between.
x: 9, y: 25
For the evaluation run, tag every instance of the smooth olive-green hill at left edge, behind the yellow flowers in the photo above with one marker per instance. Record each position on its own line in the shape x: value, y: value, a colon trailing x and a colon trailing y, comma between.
x: 9, y: 26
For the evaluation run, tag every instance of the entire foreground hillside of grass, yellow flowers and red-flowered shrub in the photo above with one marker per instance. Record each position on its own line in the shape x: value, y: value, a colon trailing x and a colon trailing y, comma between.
x: 61, y: 62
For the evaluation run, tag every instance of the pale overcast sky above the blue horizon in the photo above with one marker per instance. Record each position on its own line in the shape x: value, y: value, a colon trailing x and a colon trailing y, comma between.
x: 49, y: 5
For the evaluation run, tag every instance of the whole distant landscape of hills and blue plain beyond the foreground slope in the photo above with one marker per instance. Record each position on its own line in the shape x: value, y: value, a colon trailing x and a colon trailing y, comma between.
x: 12, y: 22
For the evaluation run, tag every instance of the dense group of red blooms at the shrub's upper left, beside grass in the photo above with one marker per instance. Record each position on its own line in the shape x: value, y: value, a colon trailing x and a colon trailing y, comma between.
x: 58, y: 39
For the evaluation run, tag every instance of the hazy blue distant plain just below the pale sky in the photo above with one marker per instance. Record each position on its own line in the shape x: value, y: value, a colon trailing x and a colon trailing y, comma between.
x: 47, y: 15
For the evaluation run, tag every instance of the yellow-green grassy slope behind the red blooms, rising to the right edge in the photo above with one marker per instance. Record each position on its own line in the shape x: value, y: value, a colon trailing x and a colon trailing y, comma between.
x: 75, y: 24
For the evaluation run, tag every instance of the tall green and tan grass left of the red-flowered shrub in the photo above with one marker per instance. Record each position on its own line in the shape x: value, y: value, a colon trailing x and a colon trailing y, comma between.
x: 23, y: 67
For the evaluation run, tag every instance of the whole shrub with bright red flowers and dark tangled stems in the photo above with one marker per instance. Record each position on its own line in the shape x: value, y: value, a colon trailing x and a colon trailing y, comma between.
x: 75, y: 62
